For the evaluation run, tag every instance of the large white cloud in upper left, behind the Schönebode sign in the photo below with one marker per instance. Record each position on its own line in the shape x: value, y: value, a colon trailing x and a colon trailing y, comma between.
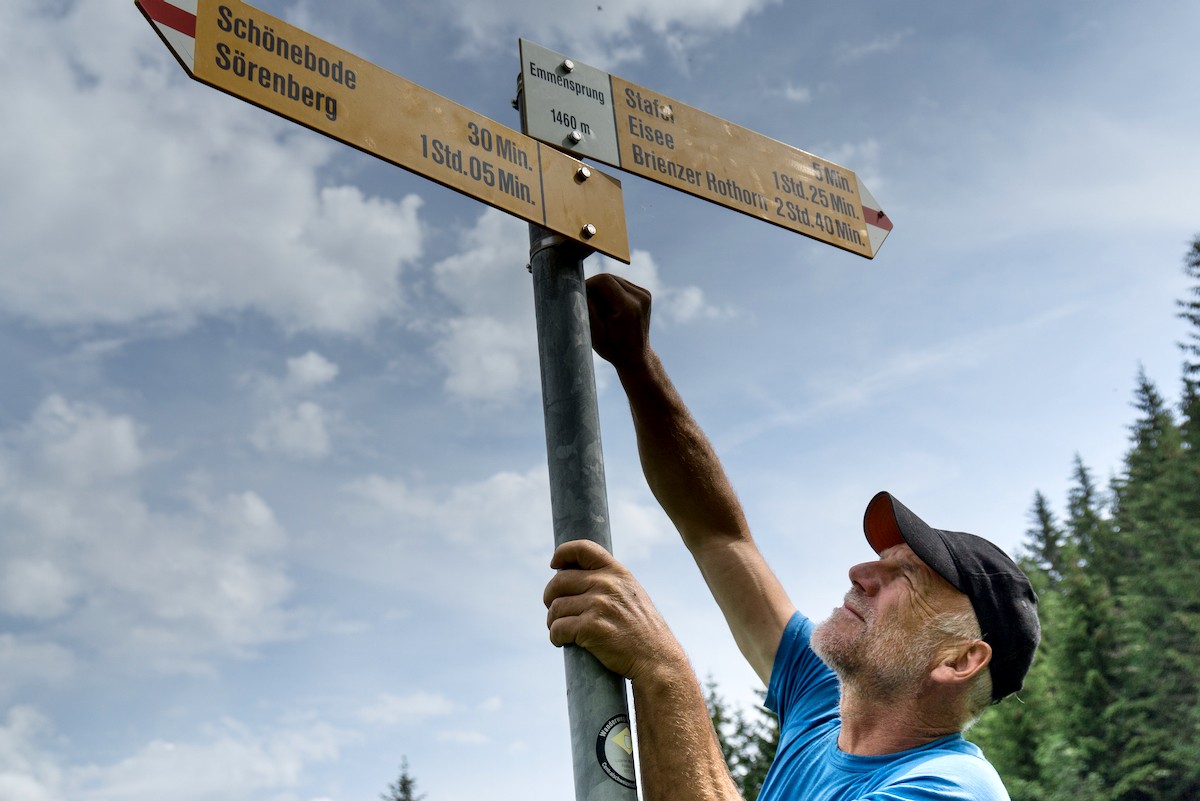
x: 170, y: 200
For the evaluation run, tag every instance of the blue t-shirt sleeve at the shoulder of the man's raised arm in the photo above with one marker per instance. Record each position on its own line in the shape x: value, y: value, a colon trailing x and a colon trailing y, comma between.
x: 803, y: 690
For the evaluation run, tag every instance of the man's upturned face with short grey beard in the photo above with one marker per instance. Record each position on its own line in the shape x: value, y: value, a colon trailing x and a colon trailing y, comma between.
x: 883, y: 640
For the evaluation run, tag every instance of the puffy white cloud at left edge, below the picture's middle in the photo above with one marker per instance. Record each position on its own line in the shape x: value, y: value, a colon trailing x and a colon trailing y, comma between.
x: 121, y: 577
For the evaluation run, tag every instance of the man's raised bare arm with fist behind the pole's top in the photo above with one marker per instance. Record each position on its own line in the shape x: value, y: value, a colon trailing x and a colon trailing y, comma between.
x: 686, y: 475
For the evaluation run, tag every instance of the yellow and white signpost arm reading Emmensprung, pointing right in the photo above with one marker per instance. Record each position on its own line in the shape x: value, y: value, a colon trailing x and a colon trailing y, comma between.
x: 595, y: 115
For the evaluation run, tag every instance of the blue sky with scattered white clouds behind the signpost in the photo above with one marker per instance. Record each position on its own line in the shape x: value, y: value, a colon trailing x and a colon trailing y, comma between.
x: 273, y: 489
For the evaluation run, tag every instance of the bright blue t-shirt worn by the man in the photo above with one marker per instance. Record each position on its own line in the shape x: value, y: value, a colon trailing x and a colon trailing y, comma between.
x: 809, y: 767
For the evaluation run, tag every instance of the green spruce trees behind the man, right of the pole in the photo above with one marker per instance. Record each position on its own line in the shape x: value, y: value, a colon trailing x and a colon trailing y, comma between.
x: 1111, y: 710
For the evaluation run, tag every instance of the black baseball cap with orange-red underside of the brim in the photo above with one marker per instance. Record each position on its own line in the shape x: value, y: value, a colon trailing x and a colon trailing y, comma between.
x: 1004, y: 600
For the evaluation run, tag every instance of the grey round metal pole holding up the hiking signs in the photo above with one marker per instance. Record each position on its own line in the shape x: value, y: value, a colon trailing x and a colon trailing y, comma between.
x: 602, y: 739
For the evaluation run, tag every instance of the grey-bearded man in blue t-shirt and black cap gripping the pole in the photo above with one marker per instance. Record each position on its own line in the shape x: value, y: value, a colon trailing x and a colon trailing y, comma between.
x: 873, y: 703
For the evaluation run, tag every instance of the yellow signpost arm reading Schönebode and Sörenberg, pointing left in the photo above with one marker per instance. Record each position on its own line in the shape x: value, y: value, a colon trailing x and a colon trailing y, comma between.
x: 266, y: 62
